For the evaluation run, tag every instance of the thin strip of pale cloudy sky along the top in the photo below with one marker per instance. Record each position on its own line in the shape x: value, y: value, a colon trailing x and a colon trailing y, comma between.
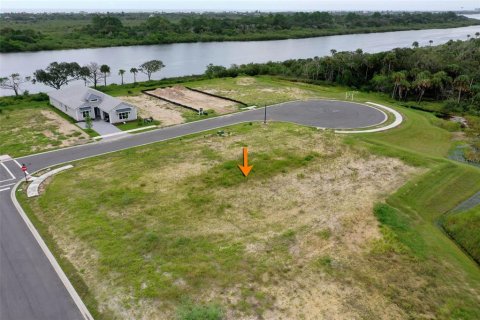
x: 233, y: 5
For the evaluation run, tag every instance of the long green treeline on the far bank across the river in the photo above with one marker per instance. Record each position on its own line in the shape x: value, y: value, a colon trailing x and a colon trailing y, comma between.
x: 31, y: 32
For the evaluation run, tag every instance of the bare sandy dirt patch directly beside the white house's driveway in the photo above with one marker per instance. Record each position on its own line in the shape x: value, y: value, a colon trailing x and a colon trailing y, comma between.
x: 168, y: 114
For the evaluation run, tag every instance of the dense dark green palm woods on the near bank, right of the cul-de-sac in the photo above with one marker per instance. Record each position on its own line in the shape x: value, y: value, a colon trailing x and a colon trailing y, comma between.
x: 449, y: 72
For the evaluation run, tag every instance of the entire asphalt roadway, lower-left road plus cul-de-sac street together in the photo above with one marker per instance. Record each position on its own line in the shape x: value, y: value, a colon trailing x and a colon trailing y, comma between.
x: 29, y: 286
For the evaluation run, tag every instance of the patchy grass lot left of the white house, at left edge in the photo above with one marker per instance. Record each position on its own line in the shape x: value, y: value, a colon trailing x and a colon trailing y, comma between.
x: 31, y: 127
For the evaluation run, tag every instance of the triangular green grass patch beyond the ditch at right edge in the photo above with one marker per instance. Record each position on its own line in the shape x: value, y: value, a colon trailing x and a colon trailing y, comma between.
x: 464, y: 227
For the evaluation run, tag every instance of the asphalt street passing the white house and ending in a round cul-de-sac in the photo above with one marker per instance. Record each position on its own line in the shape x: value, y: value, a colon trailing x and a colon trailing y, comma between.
x: 317, y: 113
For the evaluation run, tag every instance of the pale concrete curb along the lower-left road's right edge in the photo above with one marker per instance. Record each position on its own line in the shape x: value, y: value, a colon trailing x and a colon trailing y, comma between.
x: 51, y: 258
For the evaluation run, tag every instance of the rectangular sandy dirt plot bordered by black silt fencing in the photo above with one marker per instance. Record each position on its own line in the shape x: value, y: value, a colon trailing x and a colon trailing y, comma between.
x: 195, y: 99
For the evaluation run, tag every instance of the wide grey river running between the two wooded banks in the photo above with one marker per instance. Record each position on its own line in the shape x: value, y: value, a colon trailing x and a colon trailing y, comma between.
x: 192, y: 58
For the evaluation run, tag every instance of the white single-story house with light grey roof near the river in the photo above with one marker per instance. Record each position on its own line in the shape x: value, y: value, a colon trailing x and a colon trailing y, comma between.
x: 80, y: 101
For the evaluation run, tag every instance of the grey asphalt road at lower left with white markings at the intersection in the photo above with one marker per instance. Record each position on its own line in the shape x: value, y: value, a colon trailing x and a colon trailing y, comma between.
x: 29, y: 287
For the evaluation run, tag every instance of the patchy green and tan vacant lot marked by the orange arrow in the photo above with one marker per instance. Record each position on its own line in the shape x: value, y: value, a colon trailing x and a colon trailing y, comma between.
x: 192, y: 227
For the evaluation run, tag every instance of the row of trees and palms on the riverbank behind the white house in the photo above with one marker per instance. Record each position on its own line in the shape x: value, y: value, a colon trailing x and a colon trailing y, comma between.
x: 56, y: 75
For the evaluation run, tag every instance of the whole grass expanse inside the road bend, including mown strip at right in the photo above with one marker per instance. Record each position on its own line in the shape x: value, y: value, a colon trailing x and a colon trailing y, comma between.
x: 191, y: 228
